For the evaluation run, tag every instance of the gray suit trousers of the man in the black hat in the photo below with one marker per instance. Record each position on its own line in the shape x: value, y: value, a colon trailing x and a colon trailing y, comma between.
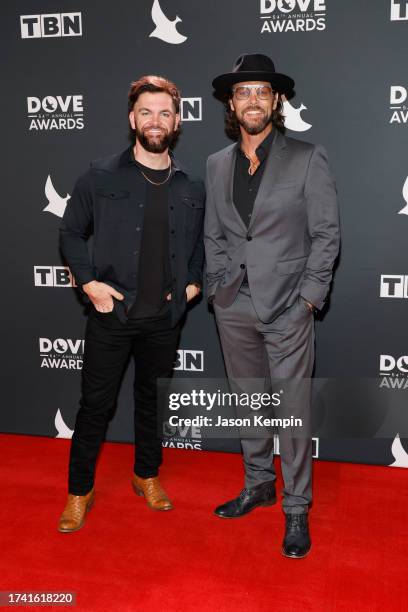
x: 282, y: 349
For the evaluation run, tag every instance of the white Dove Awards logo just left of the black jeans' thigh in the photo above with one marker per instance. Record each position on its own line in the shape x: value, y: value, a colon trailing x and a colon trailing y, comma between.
x: 61, y: 353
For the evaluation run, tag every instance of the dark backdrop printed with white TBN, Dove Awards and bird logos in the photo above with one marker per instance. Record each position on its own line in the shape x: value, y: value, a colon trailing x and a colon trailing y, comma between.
x: 64, y: 102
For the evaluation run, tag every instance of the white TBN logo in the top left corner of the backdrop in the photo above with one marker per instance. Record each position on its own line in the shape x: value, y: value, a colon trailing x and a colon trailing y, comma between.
x: 51, y: 25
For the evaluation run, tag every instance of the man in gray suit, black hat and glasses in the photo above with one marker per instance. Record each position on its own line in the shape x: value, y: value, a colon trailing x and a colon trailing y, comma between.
x: 271, y: 238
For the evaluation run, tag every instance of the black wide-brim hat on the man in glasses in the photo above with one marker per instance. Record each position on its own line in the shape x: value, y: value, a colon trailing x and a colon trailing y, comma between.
x: 254, y: 67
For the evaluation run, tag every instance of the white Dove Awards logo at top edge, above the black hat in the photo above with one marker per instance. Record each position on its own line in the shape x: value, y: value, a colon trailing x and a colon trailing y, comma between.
x: 292, y: 16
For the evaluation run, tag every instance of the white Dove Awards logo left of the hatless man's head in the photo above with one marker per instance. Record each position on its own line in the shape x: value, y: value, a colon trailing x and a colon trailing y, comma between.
x: 55, y: 113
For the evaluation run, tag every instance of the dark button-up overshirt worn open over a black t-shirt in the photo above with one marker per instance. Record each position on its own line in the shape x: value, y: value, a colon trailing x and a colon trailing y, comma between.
x: 109, y: 203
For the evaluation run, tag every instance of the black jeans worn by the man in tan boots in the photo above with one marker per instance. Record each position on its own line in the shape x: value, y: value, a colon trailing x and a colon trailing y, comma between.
x: 108, y: 345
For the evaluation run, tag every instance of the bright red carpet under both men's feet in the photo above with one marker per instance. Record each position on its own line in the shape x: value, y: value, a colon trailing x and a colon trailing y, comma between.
x: 130, y: 558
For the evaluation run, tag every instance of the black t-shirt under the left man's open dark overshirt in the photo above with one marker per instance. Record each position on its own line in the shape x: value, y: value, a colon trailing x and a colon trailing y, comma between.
x: 154, y: 262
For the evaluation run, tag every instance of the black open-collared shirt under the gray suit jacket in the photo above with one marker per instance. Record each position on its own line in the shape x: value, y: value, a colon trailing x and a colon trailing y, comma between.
x: 246, y: 186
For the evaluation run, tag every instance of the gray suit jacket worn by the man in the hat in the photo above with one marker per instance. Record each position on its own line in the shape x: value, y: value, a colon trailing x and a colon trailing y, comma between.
x: 293, y: 238
